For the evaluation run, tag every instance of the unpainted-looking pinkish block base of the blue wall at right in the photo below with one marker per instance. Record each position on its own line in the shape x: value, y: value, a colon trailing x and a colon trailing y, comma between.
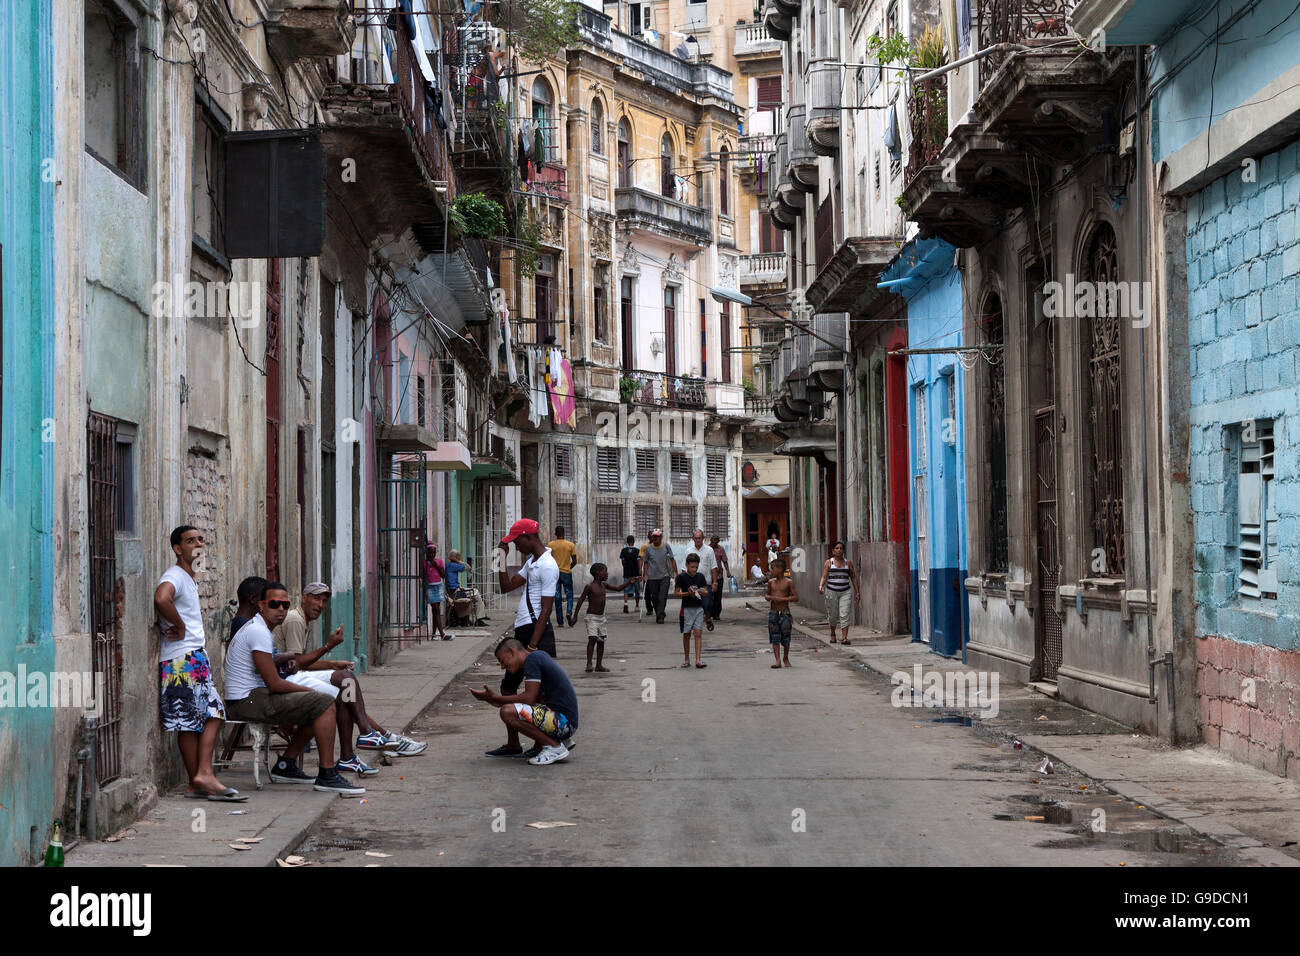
x: 1266, y: 732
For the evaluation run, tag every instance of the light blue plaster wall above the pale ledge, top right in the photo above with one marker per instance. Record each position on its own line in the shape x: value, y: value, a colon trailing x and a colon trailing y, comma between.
x: 1250, y: 55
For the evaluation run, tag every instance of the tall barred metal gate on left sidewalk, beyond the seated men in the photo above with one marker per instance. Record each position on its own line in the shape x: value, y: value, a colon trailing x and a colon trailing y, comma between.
x: 404, y: 612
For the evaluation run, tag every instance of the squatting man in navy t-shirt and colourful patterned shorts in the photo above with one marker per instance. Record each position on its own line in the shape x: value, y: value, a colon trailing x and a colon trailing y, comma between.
x: 551, y: 724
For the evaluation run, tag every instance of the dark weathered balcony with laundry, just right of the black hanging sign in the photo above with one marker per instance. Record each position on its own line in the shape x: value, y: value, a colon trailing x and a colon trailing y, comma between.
x: 392, y: 133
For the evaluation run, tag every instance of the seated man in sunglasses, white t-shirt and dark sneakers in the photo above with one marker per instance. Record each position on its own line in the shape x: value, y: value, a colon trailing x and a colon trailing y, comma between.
x: 257, y: 693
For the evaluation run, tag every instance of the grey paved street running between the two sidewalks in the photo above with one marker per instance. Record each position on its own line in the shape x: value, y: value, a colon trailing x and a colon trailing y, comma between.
x: 722, y: 769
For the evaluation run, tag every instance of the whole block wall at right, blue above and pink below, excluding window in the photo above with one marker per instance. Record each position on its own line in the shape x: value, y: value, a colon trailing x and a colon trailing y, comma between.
x: 1243, y: 276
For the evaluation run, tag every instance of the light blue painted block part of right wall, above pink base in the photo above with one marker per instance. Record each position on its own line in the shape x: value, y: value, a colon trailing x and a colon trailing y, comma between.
x: 1243, y: 276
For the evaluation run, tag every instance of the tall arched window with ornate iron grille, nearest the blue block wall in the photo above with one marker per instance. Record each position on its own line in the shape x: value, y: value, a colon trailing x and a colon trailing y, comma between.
x: 1104, y: 378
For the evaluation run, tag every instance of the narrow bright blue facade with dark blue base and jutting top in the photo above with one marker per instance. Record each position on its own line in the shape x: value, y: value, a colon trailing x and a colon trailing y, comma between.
x: 933, y: 288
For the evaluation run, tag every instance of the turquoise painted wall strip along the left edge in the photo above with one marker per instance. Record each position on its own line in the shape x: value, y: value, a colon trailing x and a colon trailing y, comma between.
x: 27, y: 462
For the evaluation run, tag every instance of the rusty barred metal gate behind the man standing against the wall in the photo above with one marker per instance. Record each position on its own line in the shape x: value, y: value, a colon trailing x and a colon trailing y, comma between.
x: 106, y: 626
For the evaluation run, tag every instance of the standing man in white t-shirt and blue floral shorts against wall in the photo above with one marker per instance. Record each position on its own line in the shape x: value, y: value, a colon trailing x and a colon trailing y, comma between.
x: 189, y: 700
